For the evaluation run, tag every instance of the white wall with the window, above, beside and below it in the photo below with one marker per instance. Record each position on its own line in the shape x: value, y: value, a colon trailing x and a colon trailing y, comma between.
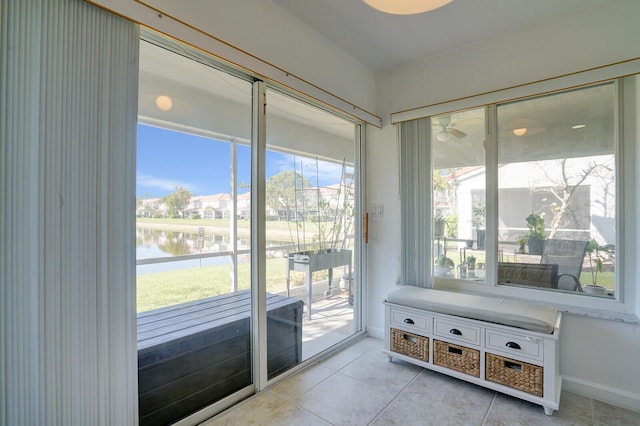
x: 594, y: 37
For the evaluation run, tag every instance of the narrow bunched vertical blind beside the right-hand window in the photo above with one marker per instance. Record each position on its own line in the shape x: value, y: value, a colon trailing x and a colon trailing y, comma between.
x: 415, y: 192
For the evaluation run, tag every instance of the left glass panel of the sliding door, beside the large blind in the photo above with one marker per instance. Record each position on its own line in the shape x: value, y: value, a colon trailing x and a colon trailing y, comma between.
x: 192, y: 235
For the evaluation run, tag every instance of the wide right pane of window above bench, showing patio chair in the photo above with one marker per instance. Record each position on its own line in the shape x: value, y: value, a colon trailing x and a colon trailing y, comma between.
x: 556, y: 191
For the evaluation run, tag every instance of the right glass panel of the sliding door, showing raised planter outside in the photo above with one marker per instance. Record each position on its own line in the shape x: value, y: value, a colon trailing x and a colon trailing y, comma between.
x: 311, y: 194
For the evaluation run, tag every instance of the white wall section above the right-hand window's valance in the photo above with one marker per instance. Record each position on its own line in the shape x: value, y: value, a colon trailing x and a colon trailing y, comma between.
x: 590, y: 38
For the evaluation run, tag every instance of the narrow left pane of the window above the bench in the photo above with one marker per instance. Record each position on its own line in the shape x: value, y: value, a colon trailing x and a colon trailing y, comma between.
x: 458, y: 147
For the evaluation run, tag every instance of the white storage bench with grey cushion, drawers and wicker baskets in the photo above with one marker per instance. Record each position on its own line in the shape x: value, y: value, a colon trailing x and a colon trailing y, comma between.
x: 506, y: 345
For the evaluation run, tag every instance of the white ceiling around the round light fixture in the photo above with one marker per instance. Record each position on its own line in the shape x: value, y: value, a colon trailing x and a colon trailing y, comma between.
x: 381, y: 41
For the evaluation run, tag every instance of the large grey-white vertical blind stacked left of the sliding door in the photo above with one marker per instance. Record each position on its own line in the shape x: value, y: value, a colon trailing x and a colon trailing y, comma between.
x: 68, y: 103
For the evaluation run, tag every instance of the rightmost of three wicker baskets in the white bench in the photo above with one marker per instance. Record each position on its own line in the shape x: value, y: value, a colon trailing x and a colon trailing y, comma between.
x: 515, y: 374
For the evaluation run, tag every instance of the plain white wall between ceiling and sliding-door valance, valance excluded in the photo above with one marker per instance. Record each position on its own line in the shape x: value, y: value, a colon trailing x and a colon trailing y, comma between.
x: 264, y: 29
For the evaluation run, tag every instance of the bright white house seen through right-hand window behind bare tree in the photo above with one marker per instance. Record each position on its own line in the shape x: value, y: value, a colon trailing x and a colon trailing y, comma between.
x: 591, y: 207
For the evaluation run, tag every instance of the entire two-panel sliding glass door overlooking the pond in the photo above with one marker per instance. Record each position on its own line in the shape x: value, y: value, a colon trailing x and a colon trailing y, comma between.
x: 201, y: 341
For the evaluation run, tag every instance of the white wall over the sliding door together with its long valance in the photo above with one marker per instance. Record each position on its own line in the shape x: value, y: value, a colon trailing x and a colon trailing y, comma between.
x: 278, y: 45
